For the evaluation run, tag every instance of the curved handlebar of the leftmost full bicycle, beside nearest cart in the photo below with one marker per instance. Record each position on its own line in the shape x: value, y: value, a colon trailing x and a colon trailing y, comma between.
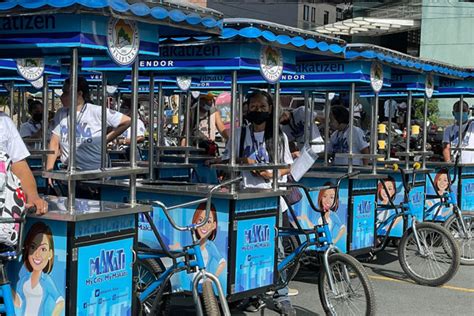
x: 207, y: 199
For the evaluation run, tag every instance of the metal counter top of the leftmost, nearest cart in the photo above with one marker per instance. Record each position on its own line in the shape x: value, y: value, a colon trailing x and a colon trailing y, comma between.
x: 87, y: 209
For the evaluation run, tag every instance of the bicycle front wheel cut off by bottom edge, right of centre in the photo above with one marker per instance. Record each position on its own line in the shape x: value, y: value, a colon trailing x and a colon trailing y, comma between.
x: 353, y: 293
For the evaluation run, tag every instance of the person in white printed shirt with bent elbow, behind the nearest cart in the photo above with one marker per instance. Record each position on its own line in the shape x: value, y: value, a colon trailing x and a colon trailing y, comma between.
x: 88, y: 129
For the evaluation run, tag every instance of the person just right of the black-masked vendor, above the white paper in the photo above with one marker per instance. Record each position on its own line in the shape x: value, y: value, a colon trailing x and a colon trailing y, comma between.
x: 293, y: 124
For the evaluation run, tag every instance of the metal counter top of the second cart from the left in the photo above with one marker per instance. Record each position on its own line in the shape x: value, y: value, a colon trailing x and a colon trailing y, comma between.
x: 184, y: 188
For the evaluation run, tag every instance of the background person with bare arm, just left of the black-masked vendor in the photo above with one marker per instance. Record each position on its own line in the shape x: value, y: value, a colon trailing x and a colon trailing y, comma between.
x: 210, y: 121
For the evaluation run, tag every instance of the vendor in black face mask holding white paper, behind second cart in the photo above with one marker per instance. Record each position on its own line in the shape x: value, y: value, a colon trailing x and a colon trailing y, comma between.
x: 255, y: 145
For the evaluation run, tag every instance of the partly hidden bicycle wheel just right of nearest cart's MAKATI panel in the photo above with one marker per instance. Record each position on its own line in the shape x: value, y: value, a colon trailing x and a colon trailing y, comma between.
x: 147, y: 273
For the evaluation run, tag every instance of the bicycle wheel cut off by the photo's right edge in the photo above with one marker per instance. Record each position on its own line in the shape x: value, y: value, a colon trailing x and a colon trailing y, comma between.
x: 464, y: 239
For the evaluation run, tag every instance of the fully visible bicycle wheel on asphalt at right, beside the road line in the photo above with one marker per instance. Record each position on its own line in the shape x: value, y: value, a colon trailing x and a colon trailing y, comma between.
x: 438, y: 259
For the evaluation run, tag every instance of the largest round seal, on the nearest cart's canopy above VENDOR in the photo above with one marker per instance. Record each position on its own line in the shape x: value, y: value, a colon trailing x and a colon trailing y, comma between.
x: 123, y: 41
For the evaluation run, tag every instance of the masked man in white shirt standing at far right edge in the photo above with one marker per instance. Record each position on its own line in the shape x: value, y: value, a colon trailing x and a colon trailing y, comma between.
x: 451, y: 134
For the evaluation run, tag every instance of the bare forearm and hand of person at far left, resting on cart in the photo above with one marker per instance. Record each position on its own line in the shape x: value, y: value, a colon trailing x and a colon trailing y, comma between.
x: 28, y: 184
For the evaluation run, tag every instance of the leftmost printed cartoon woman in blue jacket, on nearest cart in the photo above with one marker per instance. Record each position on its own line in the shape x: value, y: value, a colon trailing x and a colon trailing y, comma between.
x: 36, y: 293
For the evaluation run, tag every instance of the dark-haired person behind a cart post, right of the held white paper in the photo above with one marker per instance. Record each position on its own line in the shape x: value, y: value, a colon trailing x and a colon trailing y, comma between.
x: 339, y: 141
